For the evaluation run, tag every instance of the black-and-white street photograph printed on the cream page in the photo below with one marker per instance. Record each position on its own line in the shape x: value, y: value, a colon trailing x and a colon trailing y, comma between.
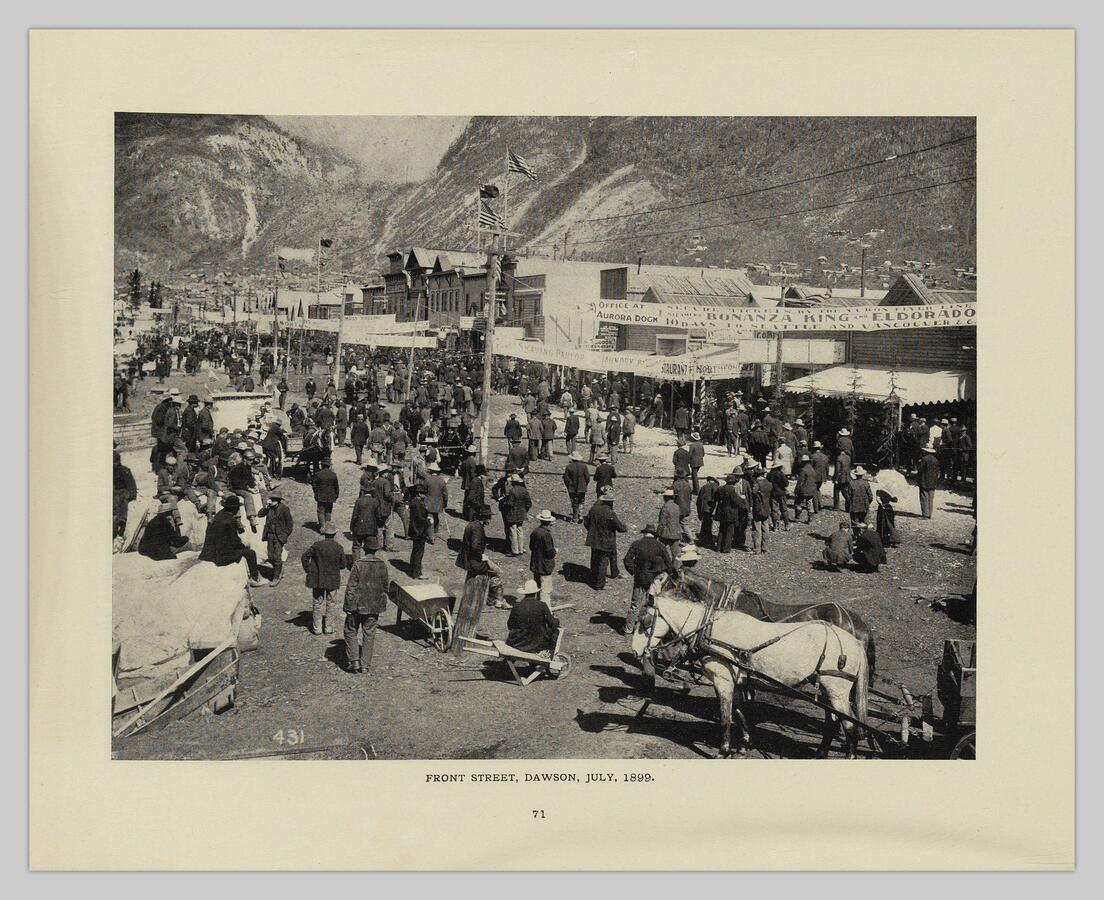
x: 475, y: 438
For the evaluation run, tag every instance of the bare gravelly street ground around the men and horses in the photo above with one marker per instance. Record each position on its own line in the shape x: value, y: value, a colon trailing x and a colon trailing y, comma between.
x: 419, y: 704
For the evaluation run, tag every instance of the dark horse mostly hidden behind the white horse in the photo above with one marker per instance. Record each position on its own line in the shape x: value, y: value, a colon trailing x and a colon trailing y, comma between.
x: 724, y: 596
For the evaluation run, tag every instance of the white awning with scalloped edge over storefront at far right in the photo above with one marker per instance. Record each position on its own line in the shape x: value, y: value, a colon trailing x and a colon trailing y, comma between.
x: 912, y: 385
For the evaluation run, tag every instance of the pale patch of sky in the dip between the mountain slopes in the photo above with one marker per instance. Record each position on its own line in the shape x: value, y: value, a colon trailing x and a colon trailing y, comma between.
x: 391, y: 149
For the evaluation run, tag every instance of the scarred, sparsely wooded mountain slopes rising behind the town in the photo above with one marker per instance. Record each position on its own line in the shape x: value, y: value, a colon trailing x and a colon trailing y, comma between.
x: 224, y: 193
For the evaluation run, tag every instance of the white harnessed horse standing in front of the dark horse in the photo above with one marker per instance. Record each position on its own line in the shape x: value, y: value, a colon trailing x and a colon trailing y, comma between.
x: 791, y: 653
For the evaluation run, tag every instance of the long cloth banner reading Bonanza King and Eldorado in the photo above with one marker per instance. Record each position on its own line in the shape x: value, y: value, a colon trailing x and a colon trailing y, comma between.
x: 747, y: 320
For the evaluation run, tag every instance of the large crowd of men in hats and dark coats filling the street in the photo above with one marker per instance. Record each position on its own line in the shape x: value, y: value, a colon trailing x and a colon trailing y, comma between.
x: 779, y: 474
